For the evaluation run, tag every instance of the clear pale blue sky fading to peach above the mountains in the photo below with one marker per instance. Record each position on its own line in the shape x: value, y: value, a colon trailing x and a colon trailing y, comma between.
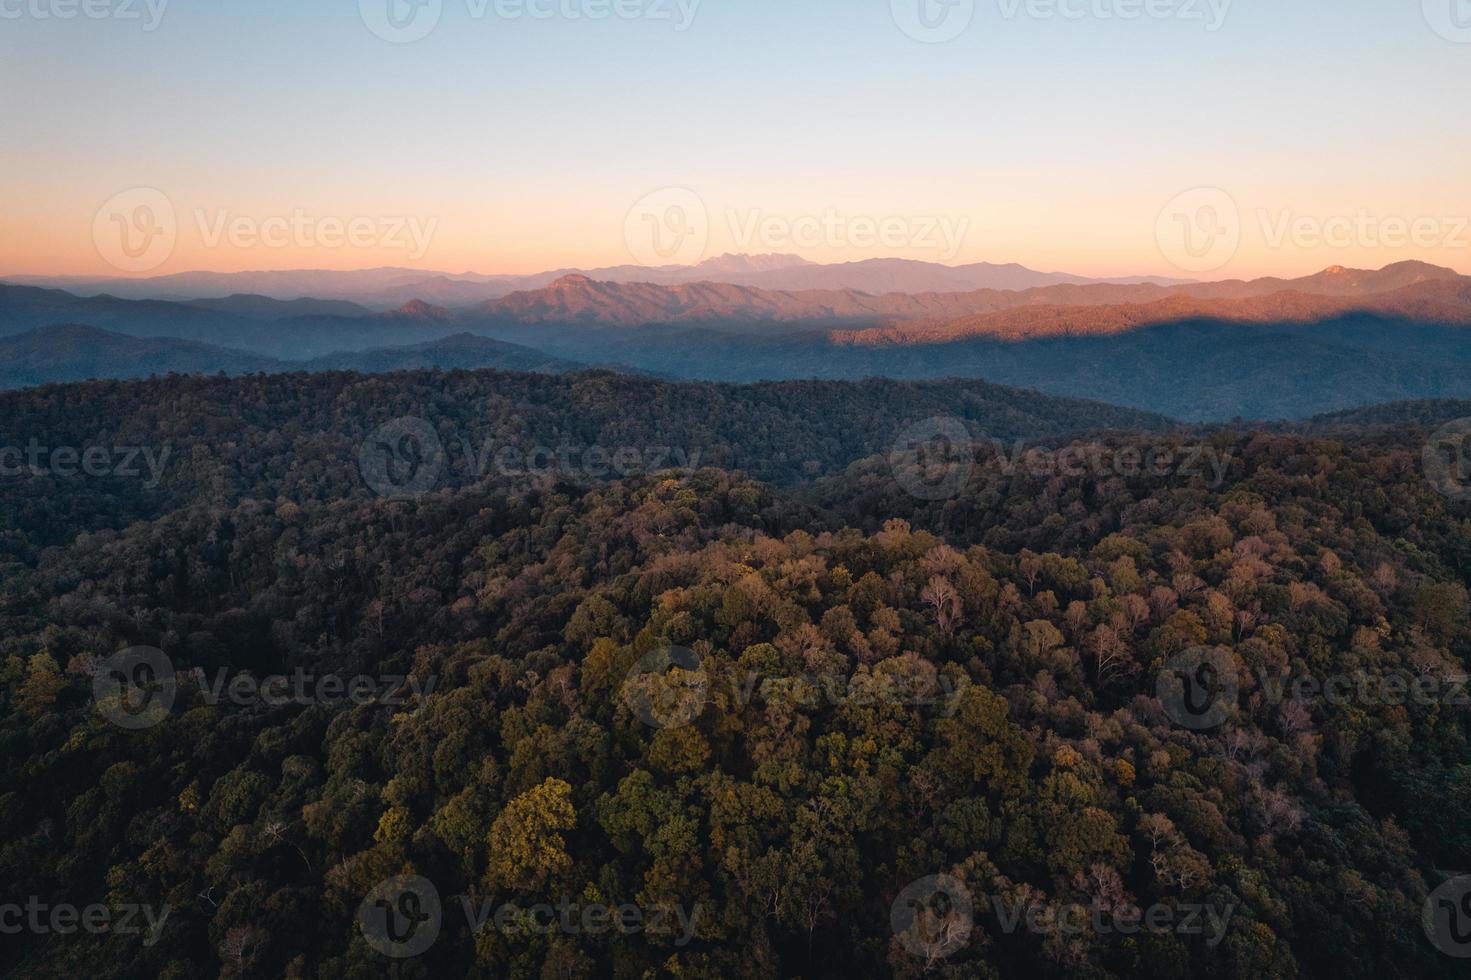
x: 1198, y: 139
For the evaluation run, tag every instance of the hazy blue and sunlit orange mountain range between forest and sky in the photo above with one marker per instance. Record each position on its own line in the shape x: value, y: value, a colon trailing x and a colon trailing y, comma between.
x: 1263, y: 349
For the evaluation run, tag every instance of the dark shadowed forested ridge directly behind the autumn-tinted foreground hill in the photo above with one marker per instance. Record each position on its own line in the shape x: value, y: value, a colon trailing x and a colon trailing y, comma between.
x: 301, y: 436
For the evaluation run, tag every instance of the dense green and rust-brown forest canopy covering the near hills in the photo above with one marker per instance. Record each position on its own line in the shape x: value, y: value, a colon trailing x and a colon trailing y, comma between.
x: 758, y: 704
